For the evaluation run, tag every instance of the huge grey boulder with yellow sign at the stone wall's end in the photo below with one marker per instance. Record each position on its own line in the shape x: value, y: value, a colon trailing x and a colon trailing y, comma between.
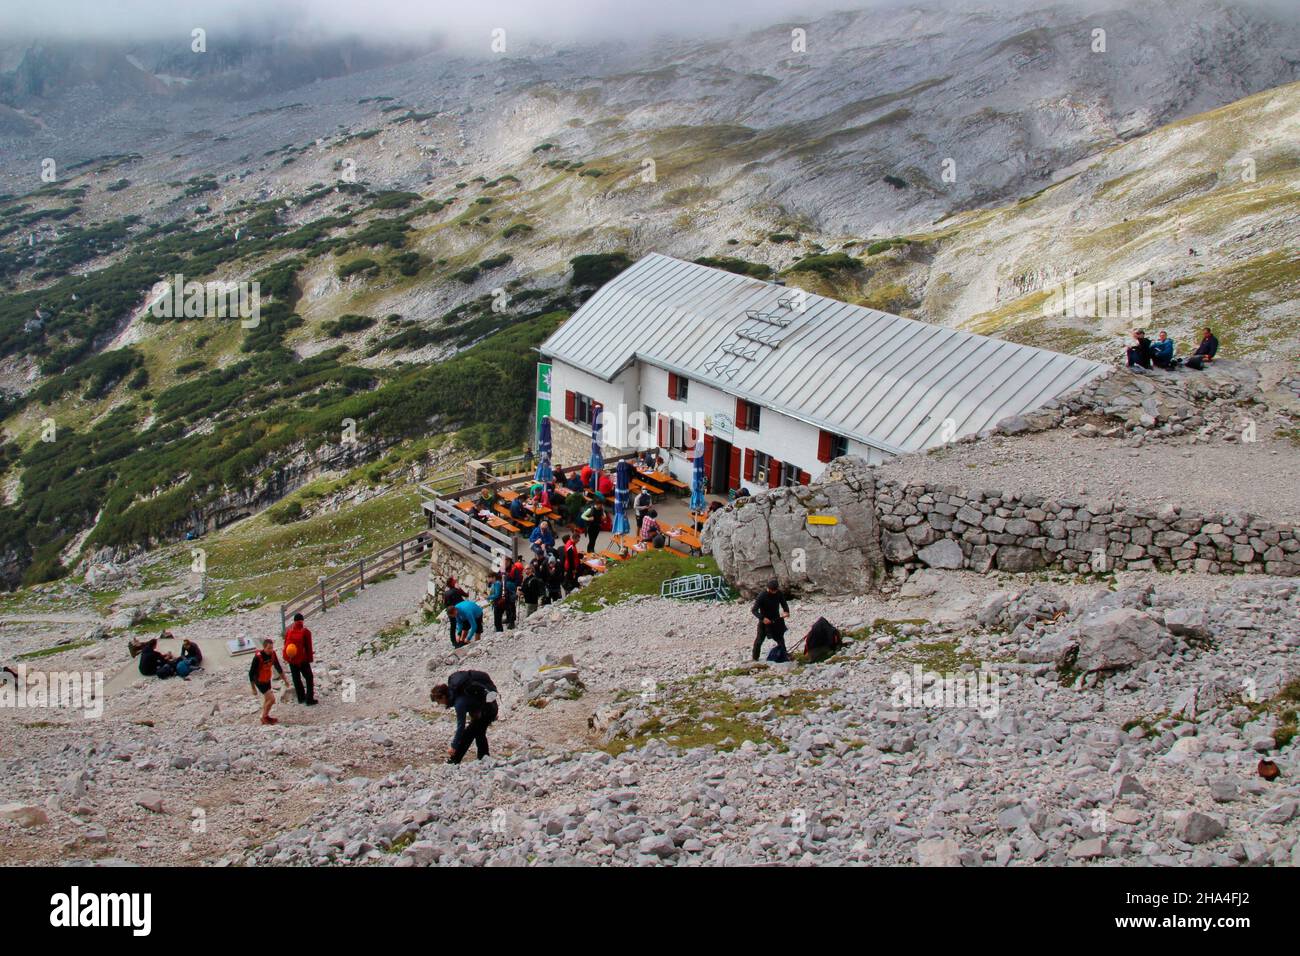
x: 769, y: 535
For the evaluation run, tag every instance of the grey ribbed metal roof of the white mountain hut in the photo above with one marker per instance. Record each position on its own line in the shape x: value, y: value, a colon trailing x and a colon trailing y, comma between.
x: 898, y: 384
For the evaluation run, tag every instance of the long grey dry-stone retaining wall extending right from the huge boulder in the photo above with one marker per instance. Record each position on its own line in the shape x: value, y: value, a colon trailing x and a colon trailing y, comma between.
x: 947, y: 527
